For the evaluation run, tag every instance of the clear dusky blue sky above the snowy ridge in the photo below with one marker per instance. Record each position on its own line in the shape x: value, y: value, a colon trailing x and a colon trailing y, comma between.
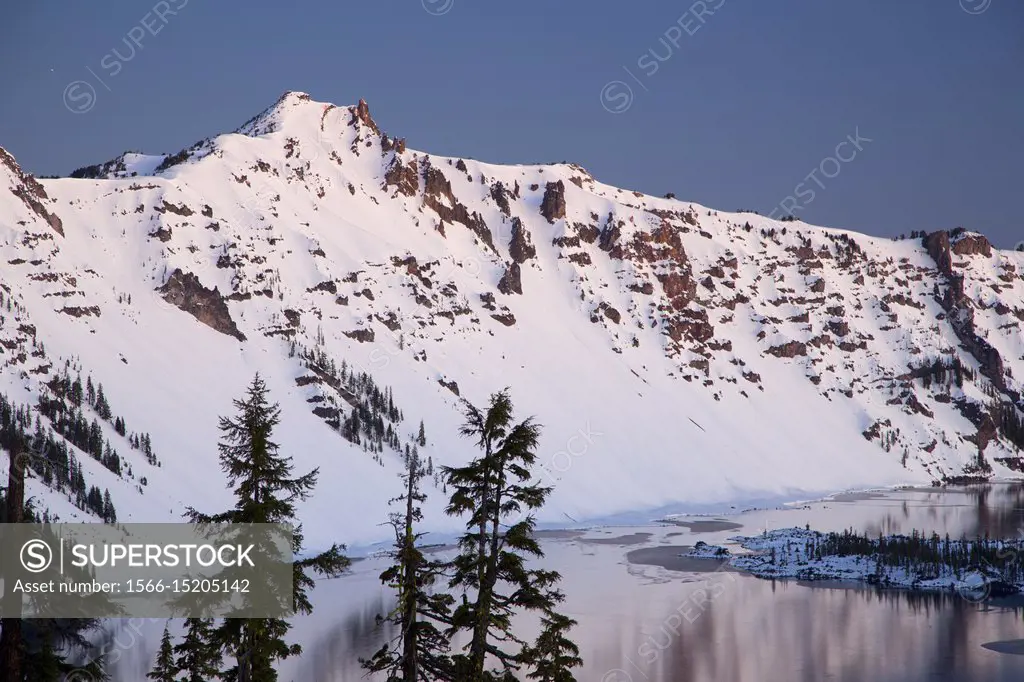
x: 746, y: 104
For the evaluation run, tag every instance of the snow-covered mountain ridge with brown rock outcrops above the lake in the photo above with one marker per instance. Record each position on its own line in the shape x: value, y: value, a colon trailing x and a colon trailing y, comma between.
x: 677, y: 356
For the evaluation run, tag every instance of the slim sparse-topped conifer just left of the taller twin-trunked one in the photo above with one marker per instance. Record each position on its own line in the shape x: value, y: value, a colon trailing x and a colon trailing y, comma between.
x: 419, y: 653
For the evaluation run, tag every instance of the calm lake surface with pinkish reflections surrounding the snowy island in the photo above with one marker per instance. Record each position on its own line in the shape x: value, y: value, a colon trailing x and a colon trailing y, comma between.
x: 647, y: 616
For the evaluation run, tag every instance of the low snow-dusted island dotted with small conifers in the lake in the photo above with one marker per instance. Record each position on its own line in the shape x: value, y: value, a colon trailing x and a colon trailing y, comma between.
x: 976, y: 569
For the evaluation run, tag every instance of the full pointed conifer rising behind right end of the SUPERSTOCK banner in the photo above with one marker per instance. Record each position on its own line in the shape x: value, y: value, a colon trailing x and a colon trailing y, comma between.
x: 265, y: 493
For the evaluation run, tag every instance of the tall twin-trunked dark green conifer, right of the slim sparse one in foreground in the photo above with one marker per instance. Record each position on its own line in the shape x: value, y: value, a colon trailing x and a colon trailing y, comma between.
x: 491, y: 566
